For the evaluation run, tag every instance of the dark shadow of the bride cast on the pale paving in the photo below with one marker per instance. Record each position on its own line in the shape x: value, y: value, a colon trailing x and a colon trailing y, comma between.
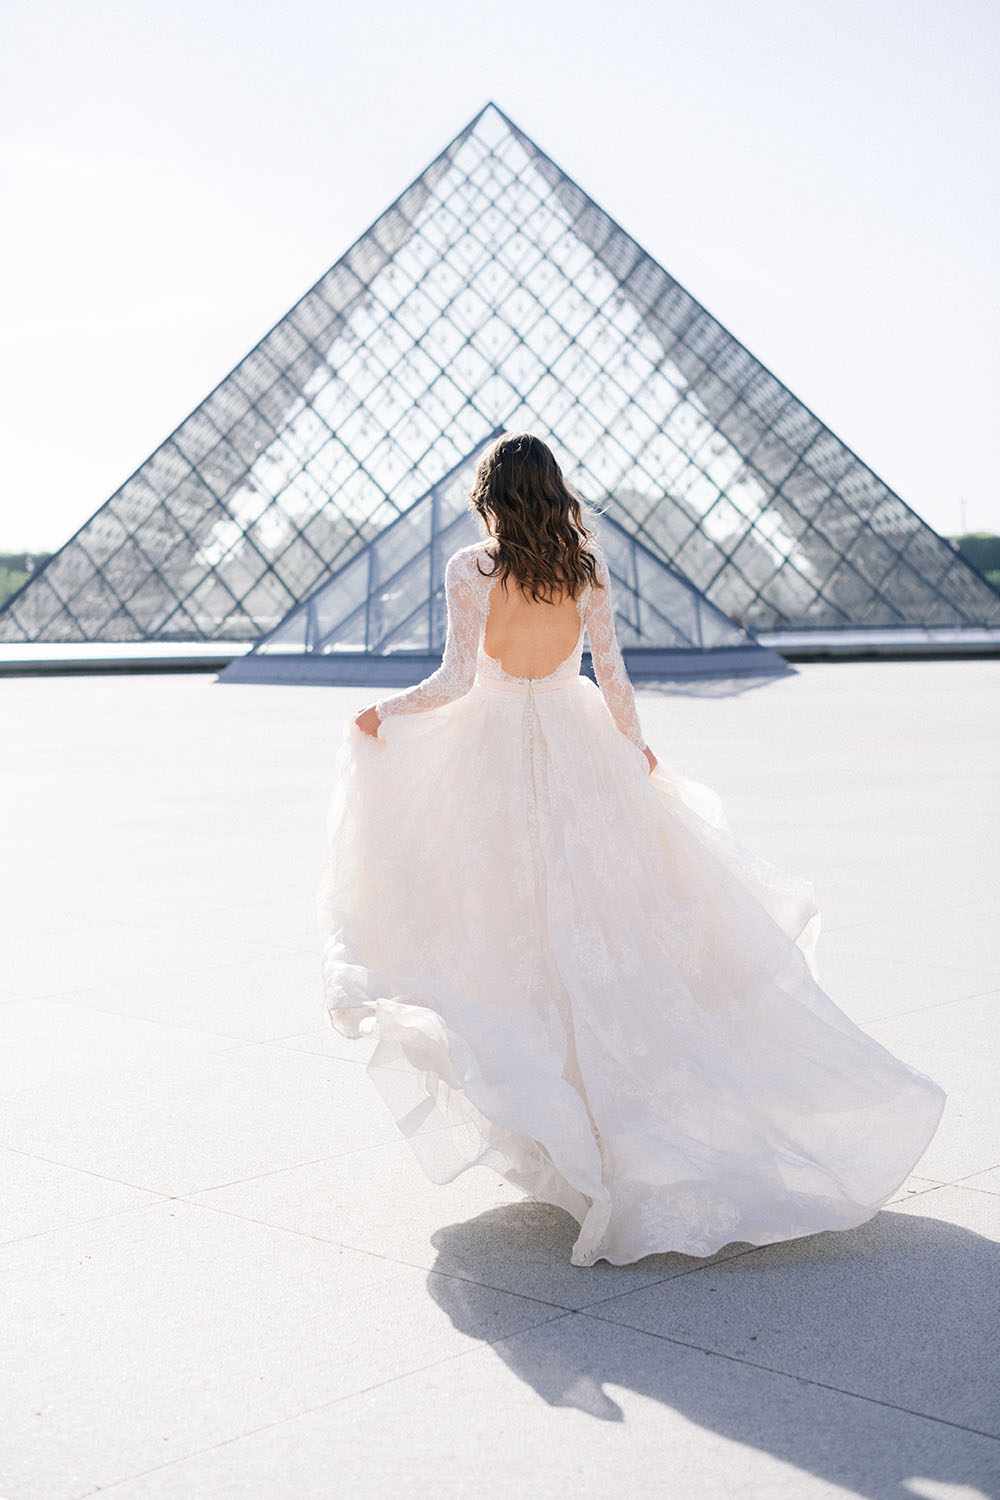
x: 869, y: 1357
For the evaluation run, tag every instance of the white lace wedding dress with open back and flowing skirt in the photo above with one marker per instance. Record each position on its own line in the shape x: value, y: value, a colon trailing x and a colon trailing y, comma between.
x: 576, y: 976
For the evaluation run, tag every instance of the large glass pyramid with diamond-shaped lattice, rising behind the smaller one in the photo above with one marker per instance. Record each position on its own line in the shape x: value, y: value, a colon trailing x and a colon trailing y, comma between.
x: 496, y: 295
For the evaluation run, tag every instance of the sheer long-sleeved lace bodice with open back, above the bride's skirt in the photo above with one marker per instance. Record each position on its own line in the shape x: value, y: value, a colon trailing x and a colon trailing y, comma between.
x: 469, y: 601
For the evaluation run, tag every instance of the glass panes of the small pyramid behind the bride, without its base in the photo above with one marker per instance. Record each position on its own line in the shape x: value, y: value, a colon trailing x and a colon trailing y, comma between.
x: 391, y: 598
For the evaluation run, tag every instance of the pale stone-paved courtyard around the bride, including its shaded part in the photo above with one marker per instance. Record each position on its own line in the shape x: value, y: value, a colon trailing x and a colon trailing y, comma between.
x: 223, y: 1271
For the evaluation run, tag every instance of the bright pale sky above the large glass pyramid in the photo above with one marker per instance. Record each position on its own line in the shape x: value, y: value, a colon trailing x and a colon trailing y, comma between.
x: 821, y: 176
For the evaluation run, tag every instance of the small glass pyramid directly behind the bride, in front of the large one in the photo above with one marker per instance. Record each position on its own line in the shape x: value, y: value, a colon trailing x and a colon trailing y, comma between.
x: 383, y: 616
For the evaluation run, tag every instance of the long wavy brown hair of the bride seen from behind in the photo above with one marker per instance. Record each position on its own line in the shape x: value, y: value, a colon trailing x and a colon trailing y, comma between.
x: 537, y: 524
